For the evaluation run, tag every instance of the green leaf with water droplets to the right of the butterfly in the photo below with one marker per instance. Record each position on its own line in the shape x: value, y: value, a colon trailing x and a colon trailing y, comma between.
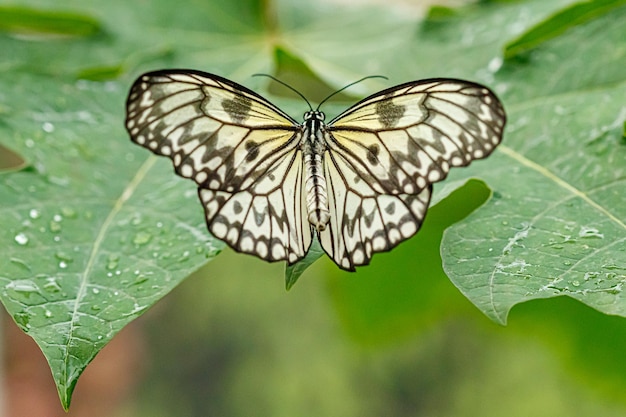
x: 556, y: 224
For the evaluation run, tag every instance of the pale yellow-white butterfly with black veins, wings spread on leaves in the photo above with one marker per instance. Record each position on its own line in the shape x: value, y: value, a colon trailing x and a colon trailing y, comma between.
x: 361, y: 183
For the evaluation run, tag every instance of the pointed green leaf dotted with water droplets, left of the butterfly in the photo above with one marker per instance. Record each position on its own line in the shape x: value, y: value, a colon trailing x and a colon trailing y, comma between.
x: 96, y: 232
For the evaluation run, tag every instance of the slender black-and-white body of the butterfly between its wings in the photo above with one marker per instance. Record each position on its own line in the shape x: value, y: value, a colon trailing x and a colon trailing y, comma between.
x: 313, y: 148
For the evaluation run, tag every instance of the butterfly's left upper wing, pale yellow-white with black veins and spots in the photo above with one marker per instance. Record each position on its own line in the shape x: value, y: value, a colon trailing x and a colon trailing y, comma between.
x: 216, y: 132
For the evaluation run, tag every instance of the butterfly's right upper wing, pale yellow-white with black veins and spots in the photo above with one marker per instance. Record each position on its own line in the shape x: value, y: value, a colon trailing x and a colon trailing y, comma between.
x: 404, y: 138
